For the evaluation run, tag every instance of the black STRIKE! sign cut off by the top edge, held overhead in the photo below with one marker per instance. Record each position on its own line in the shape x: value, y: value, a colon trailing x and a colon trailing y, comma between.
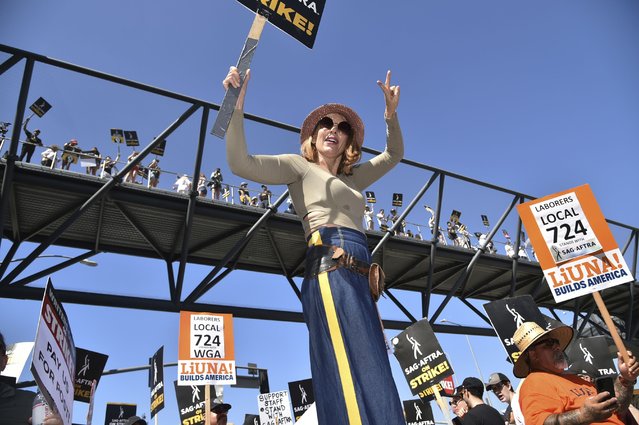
x: 298, y: 18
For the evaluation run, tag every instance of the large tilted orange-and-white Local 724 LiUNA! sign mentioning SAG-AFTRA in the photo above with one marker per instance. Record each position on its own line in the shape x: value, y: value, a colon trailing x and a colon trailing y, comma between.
x: 573, y: 243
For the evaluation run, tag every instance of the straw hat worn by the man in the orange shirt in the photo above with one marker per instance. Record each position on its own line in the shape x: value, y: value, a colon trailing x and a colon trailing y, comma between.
x: 529, y: 333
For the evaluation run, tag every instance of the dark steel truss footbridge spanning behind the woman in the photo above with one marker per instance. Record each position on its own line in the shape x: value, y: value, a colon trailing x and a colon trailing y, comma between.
x: 54, y: 207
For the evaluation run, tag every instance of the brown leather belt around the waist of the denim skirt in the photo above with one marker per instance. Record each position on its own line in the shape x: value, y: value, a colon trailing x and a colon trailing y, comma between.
x: 326, y: 258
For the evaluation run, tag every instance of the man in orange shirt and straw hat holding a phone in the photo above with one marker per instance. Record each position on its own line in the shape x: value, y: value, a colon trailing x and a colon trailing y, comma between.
x: 549, y: 396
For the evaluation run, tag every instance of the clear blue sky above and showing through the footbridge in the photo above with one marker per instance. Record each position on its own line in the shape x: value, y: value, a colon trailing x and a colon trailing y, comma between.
x: 535, y: 97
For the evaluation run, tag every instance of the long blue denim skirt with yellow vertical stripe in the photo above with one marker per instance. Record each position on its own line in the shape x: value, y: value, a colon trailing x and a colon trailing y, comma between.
x: 352, y: 379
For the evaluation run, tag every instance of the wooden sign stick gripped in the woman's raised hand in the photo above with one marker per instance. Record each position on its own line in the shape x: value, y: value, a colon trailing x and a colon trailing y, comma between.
x: 230, y: 98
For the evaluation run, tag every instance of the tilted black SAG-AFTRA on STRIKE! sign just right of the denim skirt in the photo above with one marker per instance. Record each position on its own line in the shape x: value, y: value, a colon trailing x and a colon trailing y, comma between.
x: 421, y: 358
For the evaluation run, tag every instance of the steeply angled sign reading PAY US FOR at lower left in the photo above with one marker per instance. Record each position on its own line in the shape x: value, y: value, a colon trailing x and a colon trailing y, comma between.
x: 53, y: 362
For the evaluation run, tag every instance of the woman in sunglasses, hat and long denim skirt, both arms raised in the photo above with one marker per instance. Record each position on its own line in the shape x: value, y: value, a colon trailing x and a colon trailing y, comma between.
x: 352, y: 379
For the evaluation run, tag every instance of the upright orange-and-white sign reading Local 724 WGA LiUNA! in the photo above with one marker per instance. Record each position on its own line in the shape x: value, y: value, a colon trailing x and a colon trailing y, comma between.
x: 205, y: 351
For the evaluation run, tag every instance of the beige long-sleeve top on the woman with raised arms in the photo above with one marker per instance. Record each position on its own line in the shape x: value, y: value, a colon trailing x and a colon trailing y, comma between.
x: 319, y: 197
